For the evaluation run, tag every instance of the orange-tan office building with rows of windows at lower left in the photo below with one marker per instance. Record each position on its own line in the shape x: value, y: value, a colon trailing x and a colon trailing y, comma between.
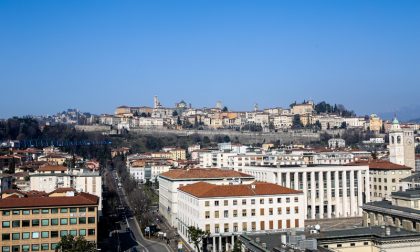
x: 34, y: 222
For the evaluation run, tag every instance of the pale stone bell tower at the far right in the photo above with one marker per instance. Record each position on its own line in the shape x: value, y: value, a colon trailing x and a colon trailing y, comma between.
x: 401, y: 145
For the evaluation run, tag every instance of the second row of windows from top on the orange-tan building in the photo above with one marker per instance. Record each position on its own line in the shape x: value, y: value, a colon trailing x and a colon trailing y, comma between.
x: 47, y: 222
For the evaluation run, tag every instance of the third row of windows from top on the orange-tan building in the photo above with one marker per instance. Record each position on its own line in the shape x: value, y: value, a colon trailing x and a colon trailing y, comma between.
x: 44, y: 234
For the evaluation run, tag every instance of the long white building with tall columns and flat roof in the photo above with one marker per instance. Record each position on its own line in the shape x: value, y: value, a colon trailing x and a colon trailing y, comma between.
x: 331, y: 191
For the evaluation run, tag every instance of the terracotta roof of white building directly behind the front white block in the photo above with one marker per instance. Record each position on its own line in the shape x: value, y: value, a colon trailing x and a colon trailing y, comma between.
x: 200, y: 173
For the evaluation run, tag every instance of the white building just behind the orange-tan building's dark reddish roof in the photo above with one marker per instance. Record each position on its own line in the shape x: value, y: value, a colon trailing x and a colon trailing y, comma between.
x: 49, y: 178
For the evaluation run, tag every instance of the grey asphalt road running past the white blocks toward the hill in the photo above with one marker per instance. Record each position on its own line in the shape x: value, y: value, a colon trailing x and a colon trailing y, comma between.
x: 143, y: 245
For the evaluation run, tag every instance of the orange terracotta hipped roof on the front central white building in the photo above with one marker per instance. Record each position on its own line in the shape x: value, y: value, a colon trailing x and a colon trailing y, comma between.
x: 207, y: 190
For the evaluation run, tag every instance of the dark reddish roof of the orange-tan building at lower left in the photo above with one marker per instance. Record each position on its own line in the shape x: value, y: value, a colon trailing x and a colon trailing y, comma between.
x: 43, y: 201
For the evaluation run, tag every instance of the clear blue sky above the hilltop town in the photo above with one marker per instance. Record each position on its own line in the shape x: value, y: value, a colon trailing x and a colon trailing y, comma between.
x: 97, y: 55
